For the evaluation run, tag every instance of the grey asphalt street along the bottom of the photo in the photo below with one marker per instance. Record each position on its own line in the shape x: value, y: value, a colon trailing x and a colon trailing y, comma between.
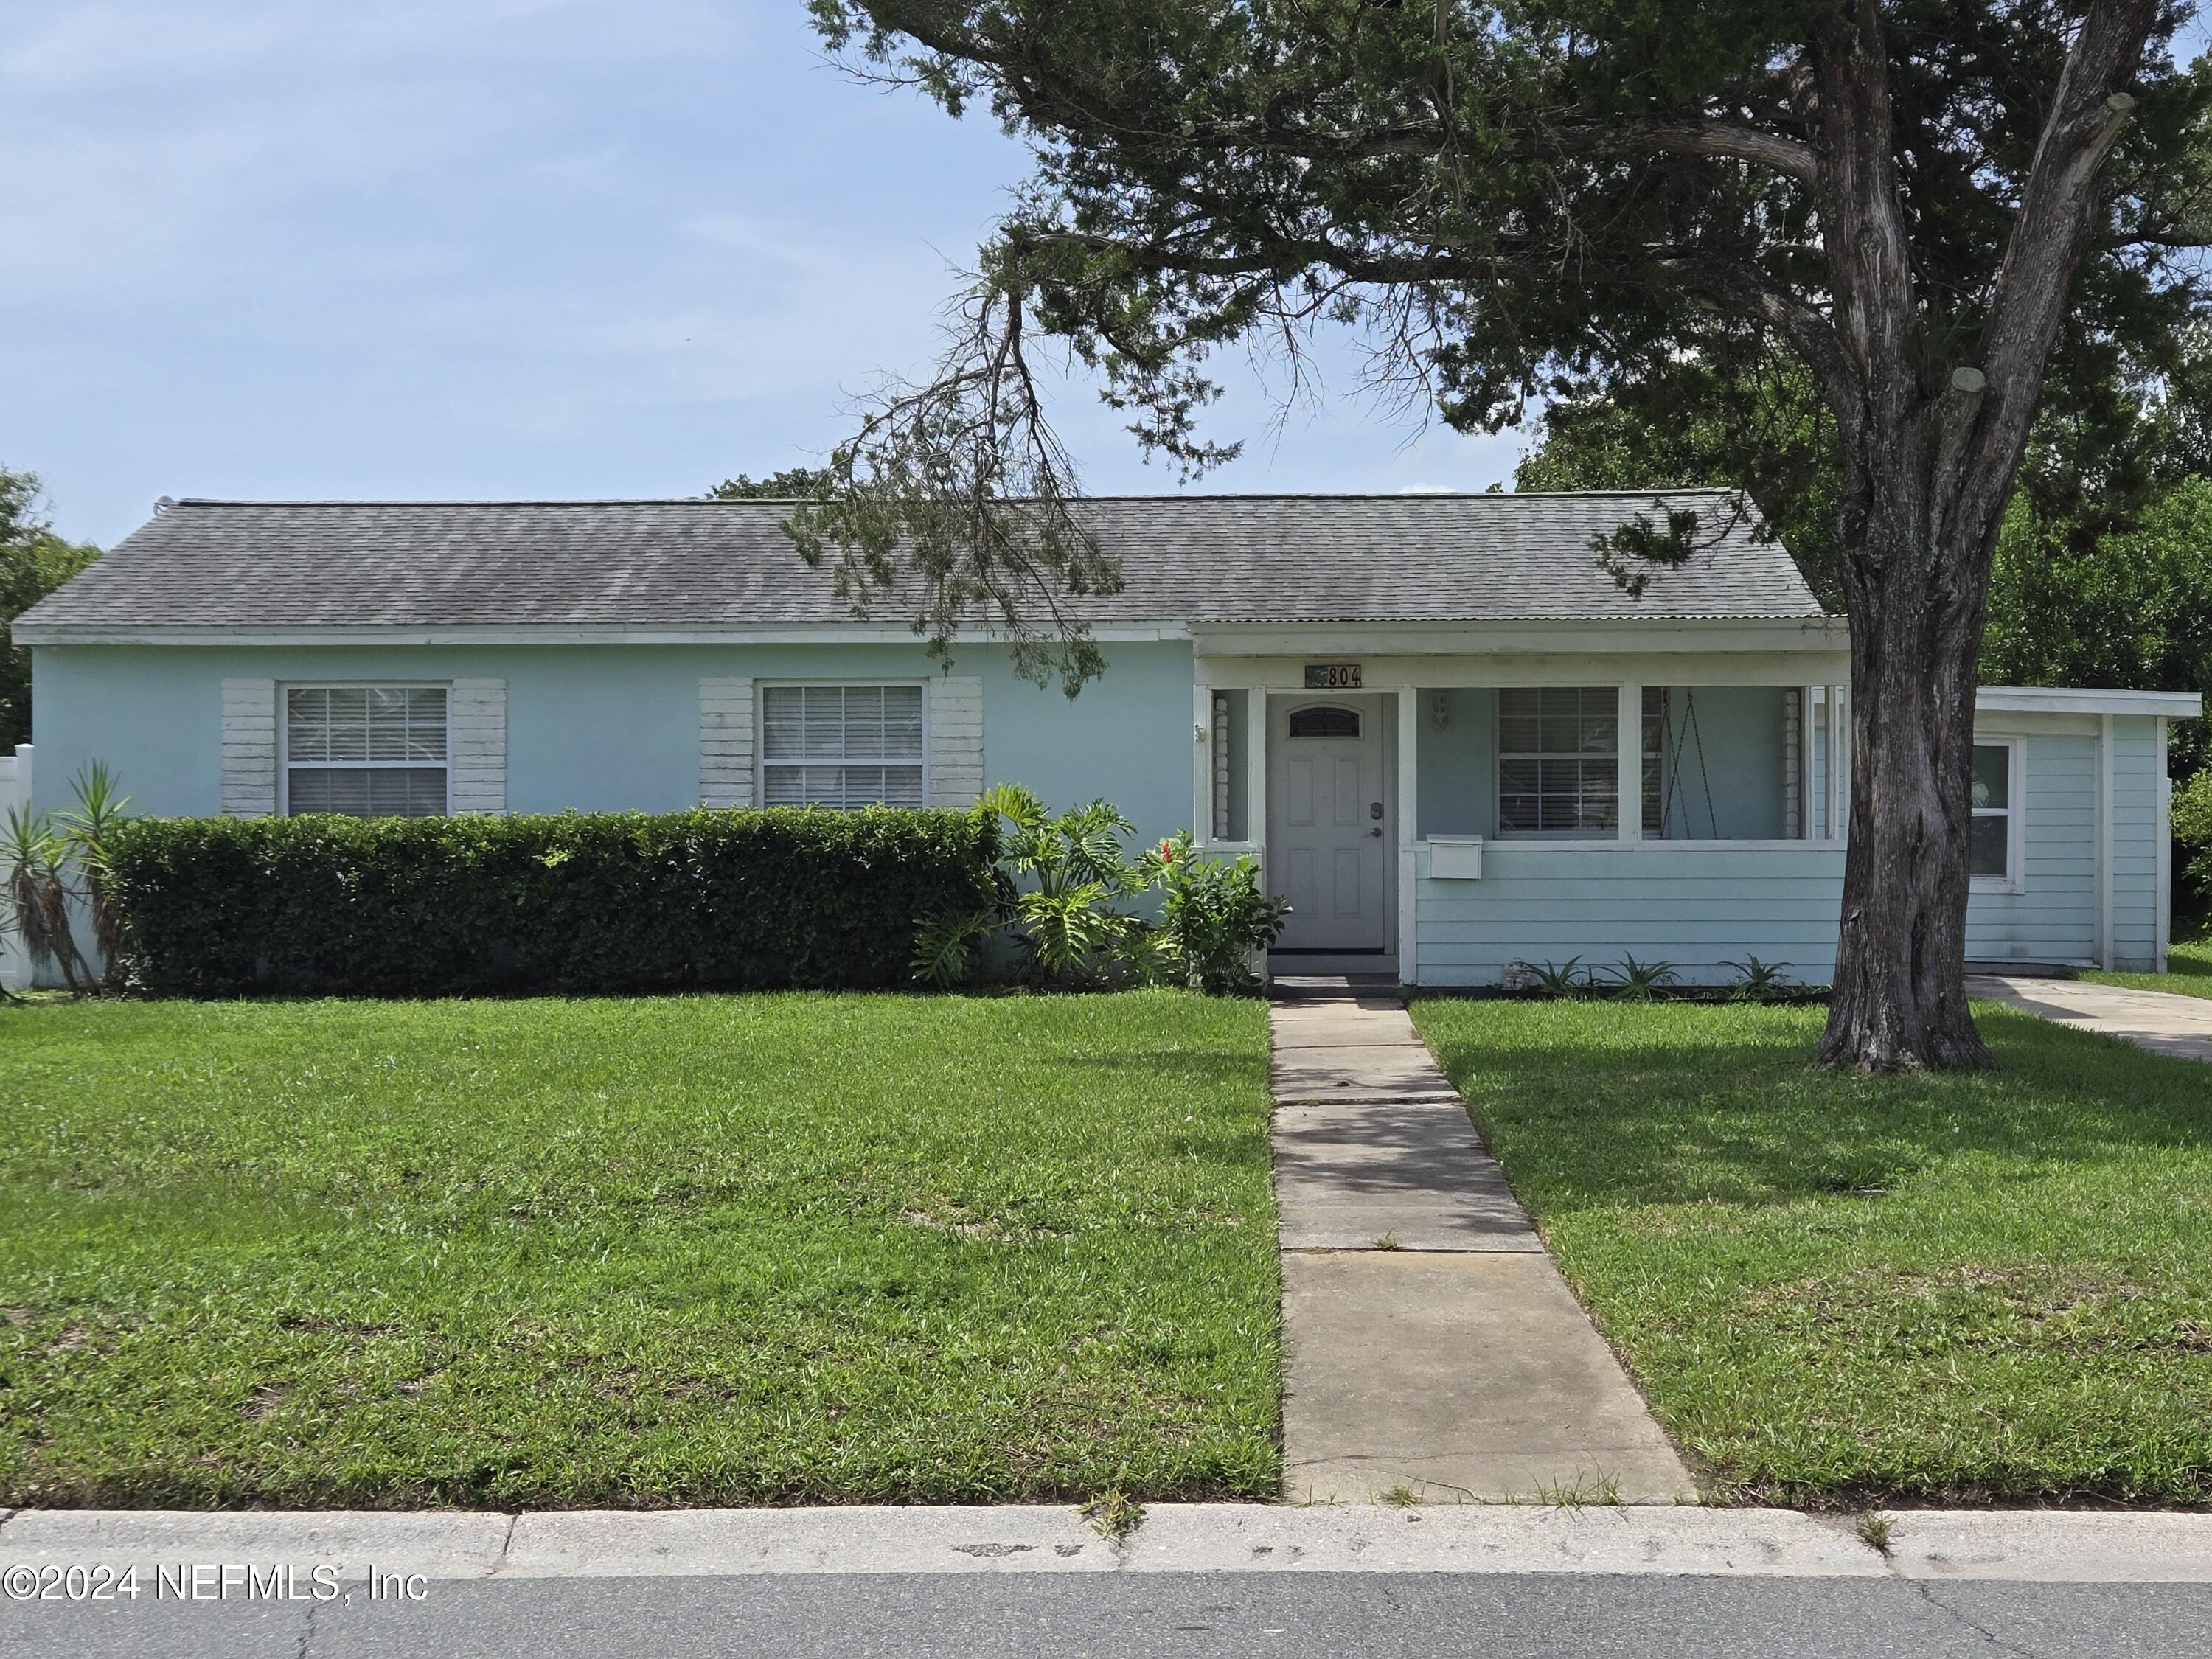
x: 1158, y: 1616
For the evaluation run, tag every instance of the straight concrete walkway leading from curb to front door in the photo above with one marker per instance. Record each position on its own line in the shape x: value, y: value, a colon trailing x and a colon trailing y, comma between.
x: 1434, y: 1348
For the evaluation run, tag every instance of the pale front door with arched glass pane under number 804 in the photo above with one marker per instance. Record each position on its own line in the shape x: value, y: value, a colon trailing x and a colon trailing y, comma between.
x: 1328, y: 828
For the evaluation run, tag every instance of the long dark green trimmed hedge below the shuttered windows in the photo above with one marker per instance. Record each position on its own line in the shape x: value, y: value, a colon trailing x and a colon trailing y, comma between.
x: 609, y: 901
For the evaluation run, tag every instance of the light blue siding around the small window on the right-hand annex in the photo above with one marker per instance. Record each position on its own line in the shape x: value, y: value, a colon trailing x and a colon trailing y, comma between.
x: 2054, y: 919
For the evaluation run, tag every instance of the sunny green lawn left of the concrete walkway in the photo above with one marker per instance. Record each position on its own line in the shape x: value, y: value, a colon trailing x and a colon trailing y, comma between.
x: 674, y: 1251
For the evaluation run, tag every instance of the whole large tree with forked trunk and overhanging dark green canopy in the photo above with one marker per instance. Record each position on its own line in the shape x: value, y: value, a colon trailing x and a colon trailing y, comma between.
x: 1527, y: 200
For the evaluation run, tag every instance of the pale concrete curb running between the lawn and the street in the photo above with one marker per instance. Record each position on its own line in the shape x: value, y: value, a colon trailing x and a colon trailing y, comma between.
x: 1173, y: 1538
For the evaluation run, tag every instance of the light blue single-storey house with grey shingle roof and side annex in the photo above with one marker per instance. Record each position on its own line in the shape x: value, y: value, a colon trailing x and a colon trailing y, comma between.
x: 1423, y: 713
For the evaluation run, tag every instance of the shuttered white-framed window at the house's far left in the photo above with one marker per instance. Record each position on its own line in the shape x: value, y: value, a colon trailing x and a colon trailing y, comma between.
x: 366, y: 751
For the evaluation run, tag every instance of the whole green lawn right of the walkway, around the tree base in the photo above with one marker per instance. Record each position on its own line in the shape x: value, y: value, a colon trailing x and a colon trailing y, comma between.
x: 1921, y: 1288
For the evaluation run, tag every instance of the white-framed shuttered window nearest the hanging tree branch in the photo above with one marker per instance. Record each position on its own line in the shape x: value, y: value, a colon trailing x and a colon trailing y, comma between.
x: 842, y: 747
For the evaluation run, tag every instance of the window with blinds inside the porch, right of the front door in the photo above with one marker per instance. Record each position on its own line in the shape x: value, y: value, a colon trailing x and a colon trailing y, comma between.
x: 1558, y: 762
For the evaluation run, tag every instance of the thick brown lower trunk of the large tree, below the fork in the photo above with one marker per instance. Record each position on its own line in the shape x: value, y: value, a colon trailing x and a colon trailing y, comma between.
x: 1917, y: 592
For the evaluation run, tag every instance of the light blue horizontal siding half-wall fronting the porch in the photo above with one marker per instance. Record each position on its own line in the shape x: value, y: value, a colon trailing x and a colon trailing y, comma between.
x: 1698, y: 910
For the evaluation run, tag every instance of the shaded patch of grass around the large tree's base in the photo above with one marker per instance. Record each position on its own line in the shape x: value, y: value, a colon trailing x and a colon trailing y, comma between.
x: 1684, y: 1105
